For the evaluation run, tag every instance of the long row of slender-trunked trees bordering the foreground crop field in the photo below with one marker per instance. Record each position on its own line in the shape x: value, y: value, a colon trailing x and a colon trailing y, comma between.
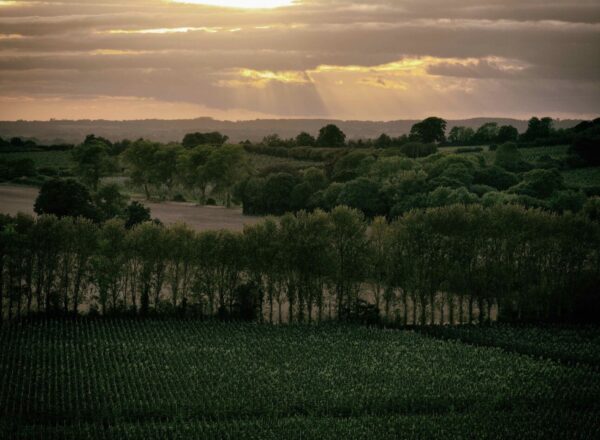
x: 455, y: 264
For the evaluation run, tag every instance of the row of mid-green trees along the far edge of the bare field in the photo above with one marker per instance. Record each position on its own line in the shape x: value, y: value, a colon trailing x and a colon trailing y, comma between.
x: 156, y: 167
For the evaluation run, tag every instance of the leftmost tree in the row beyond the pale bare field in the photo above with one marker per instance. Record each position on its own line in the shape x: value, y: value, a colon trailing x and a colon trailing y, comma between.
x: 92, y: 161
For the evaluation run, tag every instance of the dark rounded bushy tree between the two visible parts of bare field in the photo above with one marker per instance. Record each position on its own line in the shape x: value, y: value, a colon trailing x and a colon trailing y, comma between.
x: 65, y: 198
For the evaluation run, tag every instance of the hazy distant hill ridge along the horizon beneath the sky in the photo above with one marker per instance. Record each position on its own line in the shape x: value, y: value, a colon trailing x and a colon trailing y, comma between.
x: 58, y: 131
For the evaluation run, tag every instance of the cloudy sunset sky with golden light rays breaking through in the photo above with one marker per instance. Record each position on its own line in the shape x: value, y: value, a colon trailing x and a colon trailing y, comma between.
x: 339, y: 59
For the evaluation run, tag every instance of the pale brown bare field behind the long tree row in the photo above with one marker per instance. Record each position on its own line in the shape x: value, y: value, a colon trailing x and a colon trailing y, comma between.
x: 14, y: 199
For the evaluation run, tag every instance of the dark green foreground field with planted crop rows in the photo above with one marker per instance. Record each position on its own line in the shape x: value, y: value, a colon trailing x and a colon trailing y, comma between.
x: 187, y: 379
